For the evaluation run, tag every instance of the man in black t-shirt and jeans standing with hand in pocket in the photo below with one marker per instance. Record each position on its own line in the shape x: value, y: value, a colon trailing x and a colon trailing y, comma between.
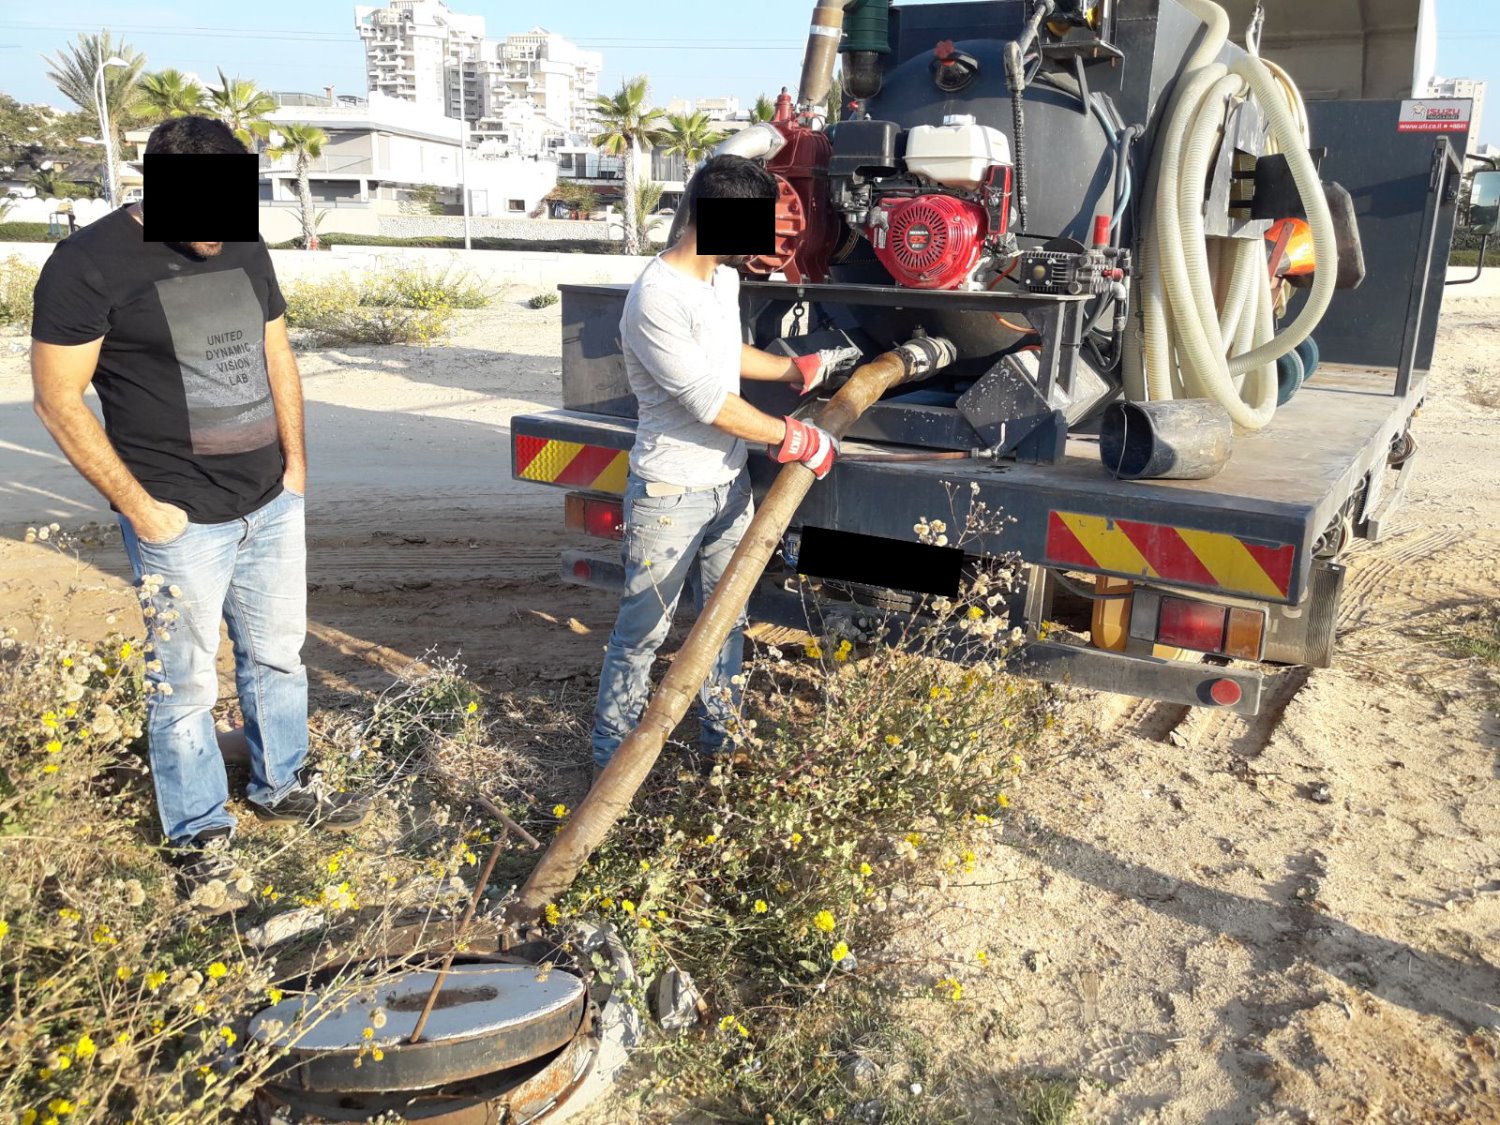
x: 202, y: 457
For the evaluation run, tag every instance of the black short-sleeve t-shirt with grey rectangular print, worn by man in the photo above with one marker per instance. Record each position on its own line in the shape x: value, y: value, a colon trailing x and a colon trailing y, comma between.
x: 182, y: 368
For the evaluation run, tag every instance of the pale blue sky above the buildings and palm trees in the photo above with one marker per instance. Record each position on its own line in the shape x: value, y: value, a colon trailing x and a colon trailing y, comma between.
x: 310, y: 44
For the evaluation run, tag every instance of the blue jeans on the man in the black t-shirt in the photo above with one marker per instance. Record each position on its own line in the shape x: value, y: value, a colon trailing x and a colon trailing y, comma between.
x: 251, y: 574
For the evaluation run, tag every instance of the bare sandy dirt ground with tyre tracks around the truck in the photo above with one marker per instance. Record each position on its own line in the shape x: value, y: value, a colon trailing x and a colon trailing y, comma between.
x: 1294, y: 919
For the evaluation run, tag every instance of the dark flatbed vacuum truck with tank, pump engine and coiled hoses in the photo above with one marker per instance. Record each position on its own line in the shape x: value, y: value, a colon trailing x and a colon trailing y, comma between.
x: 1192, y: 257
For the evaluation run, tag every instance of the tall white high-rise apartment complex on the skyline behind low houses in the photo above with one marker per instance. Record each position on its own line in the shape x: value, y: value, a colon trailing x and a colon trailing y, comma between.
x: 521, y: 95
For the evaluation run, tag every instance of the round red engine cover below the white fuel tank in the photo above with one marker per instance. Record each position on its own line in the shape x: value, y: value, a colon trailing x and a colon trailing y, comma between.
x: 932, y: 242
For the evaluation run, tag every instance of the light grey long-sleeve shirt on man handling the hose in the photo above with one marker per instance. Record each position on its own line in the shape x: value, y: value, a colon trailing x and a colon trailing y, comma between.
x: 682, y: 340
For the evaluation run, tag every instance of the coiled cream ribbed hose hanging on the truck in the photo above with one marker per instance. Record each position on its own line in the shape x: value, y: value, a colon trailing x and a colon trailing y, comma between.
x: 1198, y: 346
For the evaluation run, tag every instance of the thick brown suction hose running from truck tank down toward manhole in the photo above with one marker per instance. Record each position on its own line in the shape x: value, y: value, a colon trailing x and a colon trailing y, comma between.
x: 617, y: 785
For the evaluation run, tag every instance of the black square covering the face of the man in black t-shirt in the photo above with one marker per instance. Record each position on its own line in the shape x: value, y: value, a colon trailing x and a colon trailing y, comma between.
x: 211, y: 197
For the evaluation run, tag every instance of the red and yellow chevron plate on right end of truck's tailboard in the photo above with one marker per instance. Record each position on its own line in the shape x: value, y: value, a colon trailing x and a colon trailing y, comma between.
x: 1210, y: 560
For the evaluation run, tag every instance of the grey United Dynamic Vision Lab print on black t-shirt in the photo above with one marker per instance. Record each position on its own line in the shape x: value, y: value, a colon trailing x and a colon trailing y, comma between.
x: 220, y: 335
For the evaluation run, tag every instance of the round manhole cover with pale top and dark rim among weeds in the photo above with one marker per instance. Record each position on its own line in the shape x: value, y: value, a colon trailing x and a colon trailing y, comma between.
x: 488, y: 1016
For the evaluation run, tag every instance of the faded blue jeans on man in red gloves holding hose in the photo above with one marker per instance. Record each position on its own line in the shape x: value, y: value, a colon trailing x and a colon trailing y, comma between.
x: 668, y: 541
